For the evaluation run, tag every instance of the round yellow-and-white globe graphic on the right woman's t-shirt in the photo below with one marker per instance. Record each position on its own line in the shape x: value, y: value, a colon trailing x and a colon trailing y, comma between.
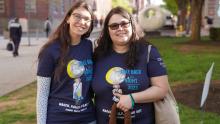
x: 115, y: 75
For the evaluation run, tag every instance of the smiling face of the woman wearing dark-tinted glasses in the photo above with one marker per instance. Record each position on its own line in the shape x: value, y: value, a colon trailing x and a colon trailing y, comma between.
x: 120, y: 30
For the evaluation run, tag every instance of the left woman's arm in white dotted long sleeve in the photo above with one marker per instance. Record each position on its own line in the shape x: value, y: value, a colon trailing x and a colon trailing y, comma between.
x: 43, y: 89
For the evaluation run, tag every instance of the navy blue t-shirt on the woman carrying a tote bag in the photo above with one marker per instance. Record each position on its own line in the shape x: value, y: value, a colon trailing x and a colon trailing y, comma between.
x: 136, y: 80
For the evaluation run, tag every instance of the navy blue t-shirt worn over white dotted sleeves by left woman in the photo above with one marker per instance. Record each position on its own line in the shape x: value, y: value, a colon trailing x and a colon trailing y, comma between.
x: 70, y: 101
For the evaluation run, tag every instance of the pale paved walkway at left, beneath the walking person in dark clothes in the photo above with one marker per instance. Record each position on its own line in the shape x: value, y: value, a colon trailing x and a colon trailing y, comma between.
x: 16, y: 72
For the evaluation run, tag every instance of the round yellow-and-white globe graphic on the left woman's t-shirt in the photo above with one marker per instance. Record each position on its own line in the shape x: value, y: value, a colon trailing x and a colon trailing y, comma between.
x: 75, y: 69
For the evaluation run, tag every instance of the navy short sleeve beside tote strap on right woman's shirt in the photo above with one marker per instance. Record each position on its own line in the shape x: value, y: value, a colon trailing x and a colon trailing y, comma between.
x: 156, y: 66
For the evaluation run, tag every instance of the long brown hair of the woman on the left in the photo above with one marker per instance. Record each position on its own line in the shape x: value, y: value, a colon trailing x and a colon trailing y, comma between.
x: 62, y: 36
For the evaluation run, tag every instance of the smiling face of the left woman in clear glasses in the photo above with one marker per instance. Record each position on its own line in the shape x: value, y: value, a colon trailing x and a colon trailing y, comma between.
x: 79, y: 21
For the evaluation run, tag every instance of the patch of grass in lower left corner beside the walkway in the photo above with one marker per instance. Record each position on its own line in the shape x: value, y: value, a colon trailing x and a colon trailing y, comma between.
x: 18, y: 107
